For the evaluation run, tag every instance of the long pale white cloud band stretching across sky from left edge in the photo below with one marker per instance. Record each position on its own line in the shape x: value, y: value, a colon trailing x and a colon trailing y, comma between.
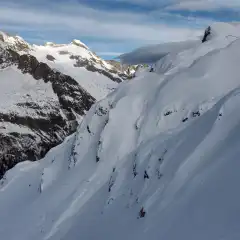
x: 88, y: 22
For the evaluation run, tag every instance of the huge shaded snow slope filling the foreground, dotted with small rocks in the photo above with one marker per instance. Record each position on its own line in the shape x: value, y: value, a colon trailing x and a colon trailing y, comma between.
x: 156, y: 159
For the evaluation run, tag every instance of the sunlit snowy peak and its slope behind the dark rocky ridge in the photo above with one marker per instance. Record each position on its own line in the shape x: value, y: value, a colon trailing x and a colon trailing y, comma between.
x: 75, y: 59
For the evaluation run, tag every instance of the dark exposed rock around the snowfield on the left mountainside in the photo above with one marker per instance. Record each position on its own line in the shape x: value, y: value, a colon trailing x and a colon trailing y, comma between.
x: 51, y: 121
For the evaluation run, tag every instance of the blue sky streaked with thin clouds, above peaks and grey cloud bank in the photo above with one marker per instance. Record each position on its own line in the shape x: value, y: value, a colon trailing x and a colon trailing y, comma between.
x: 112, y: 27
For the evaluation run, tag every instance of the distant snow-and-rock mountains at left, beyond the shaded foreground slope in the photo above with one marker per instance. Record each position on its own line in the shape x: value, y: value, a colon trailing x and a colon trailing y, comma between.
x: 44, y: 92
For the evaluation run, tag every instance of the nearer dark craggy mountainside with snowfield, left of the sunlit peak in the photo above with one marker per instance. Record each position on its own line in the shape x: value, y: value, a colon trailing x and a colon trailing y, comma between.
x: 34, y: 122
